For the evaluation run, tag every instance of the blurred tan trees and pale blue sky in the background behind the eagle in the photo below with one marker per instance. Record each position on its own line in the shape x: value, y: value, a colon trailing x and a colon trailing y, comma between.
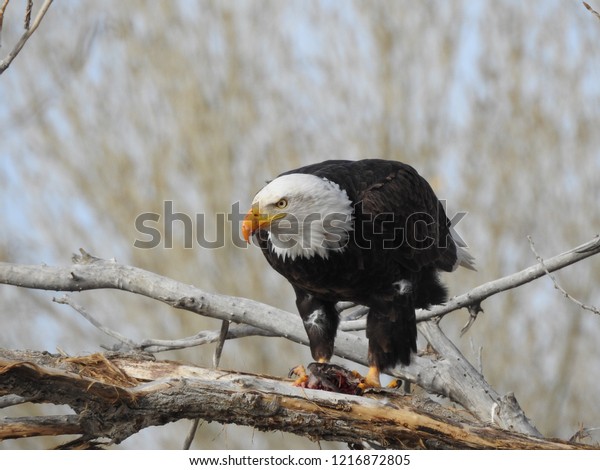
x: 114, y: 107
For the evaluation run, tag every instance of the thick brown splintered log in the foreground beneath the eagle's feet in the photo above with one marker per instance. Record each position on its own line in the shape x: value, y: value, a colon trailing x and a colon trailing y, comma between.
x: 116, y: 396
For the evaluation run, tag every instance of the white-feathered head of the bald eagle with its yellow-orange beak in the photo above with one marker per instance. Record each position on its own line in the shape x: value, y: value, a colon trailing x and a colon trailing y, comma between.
x: 305, y: 216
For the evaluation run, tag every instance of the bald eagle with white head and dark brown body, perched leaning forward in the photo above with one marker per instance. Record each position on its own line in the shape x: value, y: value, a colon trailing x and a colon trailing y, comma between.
x: 371, y: 232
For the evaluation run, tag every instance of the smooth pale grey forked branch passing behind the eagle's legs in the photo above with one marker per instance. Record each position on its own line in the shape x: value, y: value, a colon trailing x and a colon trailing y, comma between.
x: 449, y: 375
